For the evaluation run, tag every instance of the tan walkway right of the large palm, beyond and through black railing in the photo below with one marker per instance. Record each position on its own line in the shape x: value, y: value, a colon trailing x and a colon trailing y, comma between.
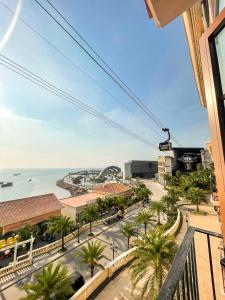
x: 208, y: 222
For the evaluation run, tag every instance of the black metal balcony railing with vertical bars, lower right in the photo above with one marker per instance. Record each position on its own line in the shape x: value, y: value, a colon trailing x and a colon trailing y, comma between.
x: 182, y: 279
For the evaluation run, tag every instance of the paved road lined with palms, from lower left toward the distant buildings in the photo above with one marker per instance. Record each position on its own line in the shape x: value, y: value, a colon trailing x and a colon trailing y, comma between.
x: 106, y: 235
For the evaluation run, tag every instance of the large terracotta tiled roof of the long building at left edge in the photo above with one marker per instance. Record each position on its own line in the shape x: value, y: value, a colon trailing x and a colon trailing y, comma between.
x: 27, y: 208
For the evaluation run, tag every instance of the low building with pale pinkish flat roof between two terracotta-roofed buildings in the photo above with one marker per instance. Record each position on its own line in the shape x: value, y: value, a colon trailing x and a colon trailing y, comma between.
x: 73, y: 206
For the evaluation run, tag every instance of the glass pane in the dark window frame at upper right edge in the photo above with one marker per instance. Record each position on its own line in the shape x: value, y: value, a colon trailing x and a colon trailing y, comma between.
x: 220, y: 50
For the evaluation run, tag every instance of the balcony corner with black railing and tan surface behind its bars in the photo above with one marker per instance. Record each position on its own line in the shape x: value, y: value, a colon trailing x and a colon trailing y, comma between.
x: 195, y: 273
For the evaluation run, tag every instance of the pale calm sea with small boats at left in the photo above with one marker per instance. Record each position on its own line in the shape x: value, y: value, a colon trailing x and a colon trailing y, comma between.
x: 43, y: 181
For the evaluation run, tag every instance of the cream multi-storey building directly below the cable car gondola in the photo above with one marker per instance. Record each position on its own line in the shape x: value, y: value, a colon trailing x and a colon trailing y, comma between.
x: 165, y: 167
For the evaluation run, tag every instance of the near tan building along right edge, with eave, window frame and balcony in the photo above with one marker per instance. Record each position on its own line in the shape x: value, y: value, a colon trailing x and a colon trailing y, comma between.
x: 204, y: 24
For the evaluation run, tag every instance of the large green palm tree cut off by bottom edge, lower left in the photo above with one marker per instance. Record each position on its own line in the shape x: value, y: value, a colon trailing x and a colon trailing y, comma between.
x: 51, y: 283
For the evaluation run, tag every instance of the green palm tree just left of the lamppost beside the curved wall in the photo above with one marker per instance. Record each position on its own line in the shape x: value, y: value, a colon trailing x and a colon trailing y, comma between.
x: 91, y: 254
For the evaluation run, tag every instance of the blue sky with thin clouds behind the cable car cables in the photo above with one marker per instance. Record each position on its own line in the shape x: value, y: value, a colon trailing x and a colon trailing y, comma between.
x: 40, y: 130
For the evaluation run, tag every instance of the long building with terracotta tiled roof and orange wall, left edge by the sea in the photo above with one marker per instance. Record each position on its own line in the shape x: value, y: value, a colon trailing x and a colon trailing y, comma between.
x: 33, y: 210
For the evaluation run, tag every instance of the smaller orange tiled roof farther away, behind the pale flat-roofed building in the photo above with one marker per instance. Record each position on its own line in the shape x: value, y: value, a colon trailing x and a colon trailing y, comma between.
x: 111, y: 189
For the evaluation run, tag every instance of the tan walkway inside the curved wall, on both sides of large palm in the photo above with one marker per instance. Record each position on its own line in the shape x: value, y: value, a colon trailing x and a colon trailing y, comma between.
x: 121, y: 288
